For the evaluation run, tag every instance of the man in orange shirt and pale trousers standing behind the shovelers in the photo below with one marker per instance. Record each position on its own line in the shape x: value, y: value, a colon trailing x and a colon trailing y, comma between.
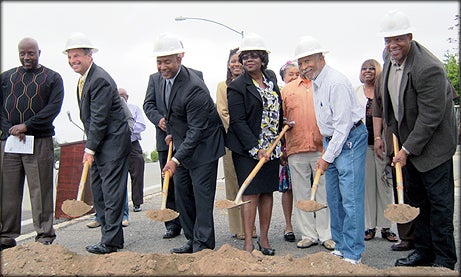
x: 304, y: 148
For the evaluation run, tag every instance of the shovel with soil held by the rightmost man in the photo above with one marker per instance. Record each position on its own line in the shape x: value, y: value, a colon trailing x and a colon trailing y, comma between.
x: 400, y: 213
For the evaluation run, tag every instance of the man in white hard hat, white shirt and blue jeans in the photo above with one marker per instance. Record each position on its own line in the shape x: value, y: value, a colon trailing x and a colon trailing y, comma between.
x: 339, y: 118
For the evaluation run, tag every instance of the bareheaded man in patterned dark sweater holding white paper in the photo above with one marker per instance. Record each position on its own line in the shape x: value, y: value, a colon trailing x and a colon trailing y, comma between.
x: 31, y: 97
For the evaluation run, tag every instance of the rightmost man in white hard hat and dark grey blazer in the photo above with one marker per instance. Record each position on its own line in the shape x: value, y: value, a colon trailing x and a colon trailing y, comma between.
x: 418, y: 109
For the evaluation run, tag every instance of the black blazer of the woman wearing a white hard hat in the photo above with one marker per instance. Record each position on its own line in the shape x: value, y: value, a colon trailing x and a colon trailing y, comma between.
x: 245, y: 111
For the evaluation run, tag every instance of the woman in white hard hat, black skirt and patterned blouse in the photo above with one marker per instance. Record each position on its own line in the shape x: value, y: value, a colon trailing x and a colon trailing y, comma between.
x: 256, y: 118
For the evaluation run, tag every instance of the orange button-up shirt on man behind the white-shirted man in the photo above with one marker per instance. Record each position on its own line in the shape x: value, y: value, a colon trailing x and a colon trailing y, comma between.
x: 298, y: 106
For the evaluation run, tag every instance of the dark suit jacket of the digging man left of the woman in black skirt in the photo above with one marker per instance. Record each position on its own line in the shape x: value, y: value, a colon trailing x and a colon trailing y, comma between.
x: 193, y: 121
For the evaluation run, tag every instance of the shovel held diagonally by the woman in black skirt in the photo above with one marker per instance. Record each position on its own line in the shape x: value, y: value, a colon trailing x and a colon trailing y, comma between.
x: 228, y: 204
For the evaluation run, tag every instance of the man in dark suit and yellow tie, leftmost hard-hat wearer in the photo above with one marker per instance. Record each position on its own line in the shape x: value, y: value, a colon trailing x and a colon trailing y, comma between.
x: 108, y: 141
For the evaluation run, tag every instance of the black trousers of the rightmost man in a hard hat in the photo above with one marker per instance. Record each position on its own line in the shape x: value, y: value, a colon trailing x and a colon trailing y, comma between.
x: 433, y: 193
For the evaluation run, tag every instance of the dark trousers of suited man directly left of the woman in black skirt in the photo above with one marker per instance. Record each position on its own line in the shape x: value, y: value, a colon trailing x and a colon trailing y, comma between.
x: 195, y: 191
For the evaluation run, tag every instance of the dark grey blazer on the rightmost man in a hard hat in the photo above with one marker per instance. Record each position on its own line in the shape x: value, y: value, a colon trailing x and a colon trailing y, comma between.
x: 426, y: 123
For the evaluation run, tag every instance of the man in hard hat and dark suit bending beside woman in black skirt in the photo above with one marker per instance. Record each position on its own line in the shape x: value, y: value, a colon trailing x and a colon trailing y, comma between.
x: 193, y: 124
